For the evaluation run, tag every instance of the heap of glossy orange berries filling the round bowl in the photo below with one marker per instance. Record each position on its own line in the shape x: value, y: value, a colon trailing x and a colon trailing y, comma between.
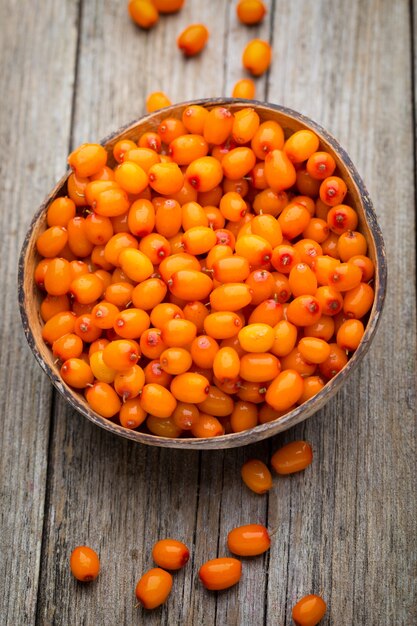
x: 209, y: 279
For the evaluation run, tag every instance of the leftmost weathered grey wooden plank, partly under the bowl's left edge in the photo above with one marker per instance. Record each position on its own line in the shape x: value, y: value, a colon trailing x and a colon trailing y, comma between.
x: 35, y: 103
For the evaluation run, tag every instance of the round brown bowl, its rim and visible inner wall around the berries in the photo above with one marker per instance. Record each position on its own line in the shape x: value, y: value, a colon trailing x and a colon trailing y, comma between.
x: 30, y: 298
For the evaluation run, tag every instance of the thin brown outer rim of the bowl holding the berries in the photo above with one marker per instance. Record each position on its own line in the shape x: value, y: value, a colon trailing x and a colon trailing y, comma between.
x: 299, y: 413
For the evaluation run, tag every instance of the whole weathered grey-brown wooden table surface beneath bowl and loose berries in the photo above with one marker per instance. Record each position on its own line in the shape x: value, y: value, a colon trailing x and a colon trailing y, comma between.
x: 75, y: 70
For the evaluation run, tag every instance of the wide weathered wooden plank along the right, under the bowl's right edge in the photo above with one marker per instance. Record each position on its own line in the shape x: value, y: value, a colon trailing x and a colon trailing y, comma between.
x: 350, y: 517
